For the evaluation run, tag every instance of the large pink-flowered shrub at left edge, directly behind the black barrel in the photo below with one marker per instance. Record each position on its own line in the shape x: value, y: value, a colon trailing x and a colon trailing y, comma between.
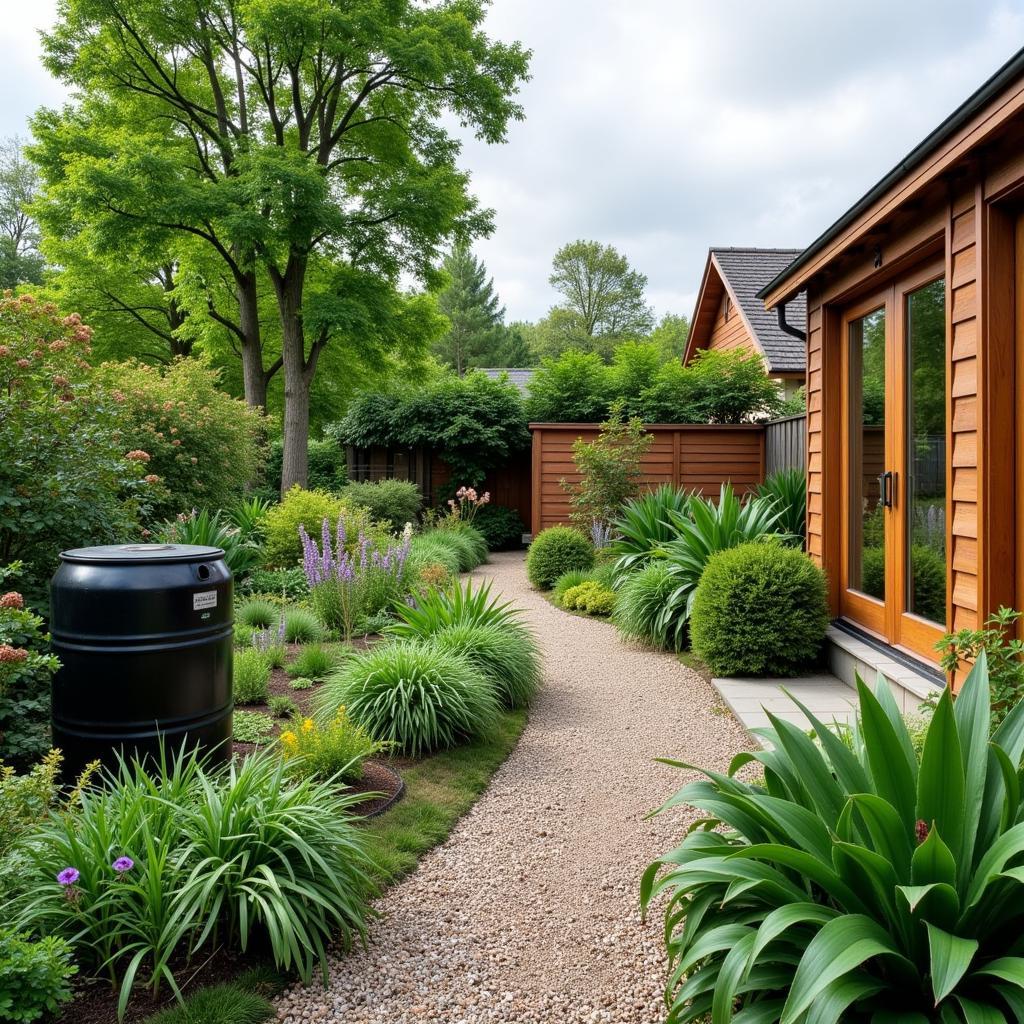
x: 66, y: 479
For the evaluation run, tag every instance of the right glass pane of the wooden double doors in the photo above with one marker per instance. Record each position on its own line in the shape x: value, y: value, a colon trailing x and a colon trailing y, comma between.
x: 925, y: 473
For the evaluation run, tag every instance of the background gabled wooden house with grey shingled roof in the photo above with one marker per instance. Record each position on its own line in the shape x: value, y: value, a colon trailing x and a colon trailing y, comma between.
x: 730, y: 315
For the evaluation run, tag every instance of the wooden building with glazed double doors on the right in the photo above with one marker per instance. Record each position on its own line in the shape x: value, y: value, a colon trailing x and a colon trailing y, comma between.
x: 916, y: 383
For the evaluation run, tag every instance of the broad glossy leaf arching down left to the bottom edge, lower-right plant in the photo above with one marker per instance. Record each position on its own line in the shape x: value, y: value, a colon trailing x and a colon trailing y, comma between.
x: 839, y: 949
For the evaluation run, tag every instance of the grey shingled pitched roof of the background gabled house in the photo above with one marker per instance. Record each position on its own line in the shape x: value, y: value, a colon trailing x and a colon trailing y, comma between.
x: 744, y: 272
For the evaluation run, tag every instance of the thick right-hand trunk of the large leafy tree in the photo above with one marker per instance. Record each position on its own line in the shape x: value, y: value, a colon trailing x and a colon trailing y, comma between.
x: 298, y: 373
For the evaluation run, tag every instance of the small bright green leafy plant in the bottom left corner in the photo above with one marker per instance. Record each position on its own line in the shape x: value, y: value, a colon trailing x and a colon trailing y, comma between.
x: 35, y: 977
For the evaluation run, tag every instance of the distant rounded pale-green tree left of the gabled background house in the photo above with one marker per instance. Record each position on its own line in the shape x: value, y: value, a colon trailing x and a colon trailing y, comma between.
x: 604, y: 297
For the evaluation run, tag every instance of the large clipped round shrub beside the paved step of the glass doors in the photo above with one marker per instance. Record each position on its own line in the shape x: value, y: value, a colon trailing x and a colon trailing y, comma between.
x: 759, y: 610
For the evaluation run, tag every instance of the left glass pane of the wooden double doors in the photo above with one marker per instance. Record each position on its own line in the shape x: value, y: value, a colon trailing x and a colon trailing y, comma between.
x: 867, y: 565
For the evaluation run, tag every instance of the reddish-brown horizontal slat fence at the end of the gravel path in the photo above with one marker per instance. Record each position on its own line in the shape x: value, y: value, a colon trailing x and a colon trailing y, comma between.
x: 697, y: 457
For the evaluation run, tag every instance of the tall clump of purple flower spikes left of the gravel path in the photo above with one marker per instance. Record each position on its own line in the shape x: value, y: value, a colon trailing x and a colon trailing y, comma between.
x: 347, y: 585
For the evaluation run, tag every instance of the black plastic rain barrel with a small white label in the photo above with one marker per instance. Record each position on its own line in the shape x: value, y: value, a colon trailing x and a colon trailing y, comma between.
x: 144, y: 633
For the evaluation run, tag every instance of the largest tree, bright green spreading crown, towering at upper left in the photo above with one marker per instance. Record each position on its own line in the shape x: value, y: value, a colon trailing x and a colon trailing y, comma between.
x: 297, y: 139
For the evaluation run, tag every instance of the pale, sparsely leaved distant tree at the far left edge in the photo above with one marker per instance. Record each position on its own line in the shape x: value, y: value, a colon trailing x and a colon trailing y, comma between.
x: 21, y: 262
